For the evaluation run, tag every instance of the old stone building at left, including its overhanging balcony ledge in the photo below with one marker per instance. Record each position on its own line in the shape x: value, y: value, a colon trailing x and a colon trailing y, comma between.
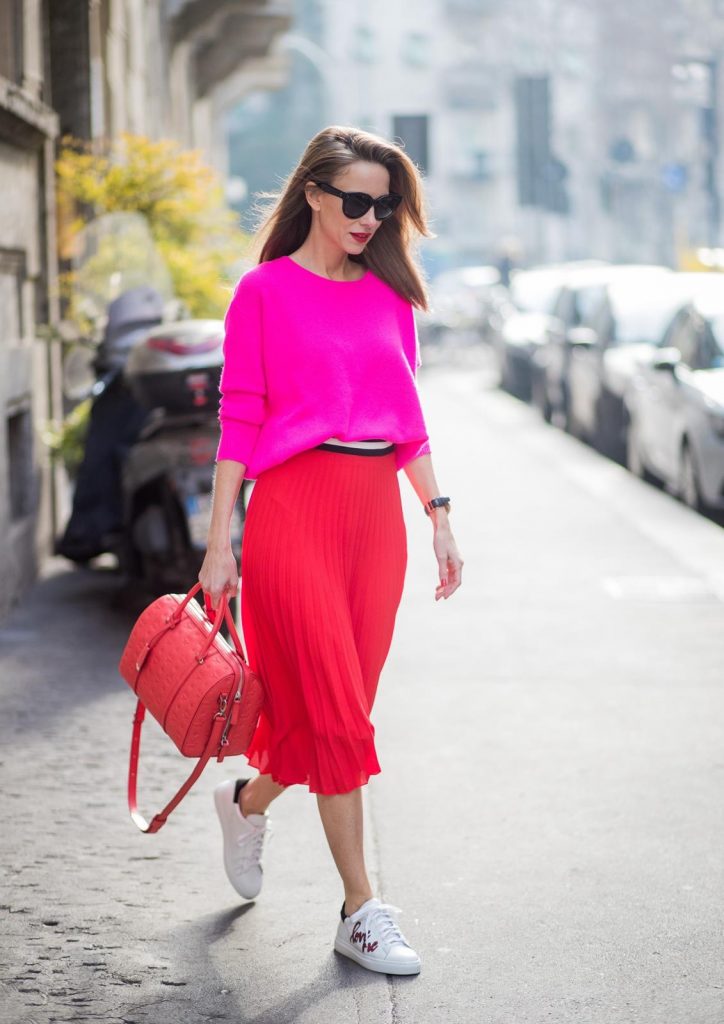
x: 92, y: 69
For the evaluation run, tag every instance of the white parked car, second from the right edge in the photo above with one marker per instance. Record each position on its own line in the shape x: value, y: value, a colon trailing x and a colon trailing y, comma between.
x: 625, y: 327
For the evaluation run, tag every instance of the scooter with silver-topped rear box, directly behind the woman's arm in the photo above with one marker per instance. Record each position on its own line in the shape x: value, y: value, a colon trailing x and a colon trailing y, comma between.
x: 168, y: 475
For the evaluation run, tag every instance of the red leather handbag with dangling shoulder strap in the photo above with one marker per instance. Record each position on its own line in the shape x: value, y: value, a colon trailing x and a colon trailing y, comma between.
x: 199, y: 689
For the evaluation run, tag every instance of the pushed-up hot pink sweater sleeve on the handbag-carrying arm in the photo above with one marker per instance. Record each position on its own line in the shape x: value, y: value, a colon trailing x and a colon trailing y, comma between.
x: 242, y: 386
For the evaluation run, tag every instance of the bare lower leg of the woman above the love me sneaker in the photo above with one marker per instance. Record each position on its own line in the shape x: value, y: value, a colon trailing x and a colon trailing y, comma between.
x: 343, y: 820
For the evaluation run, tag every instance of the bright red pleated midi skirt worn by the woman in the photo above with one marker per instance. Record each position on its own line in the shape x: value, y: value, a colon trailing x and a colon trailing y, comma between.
x: 323, y: 566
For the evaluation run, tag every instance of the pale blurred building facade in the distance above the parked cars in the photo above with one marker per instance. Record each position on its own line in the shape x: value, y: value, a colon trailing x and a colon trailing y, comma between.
x: 611, y: 71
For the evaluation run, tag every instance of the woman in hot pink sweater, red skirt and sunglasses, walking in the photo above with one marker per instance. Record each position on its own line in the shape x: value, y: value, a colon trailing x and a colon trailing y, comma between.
x: 320, y: 407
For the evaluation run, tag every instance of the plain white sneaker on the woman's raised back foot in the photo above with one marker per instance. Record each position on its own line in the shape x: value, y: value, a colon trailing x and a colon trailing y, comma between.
x: 243, y: 839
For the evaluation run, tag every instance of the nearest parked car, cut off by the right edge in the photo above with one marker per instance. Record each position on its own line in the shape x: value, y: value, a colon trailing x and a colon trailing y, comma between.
x: 675, y: 405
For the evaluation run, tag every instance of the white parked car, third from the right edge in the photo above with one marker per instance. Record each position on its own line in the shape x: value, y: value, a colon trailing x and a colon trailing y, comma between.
x: 526, y: 320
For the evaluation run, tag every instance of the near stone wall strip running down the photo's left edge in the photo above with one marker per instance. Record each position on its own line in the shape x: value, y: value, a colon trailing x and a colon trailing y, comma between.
x: 27, y: 280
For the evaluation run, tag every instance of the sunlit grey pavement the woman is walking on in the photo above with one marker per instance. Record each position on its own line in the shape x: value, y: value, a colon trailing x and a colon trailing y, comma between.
x: 549, y: 816
